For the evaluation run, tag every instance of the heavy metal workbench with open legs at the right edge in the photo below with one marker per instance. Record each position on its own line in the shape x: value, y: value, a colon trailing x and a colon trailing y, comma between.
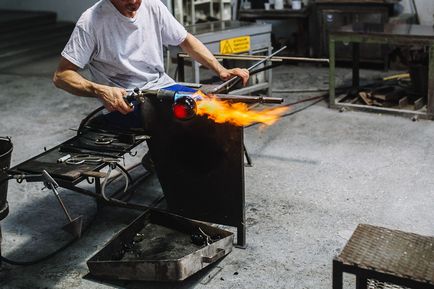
x: 399, y: 34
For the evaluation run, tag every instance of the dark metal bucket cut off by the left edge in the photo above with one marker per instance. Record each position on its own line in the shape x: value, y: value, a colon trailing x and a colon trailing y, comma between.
x: 5, y: 161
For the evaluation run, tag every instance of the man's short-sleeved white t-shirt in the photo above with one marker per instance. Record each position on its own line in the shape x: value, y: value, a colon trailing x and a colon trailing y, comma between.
x: 121, y: 51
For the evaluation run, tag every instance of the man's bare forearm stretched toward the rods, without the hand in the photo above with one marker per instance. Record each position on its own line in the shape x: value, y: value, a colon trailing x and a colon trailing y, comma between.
x: 201, y: 54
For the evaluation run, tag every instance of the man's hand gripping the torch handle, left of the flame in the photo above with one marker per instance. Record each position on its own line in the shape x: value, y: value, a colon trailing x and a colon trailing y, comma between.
x: 113, y: 99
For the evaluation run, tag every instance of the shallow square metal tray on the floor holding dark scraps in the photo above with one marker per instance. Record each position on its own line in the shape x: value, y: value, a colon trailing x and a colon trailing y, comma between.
x: 158, y: 246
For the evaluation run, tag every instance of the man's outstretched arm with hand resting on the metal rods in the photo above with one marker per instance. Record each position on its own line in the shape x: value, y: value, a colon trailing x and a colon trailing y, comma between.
x: 201, y: 54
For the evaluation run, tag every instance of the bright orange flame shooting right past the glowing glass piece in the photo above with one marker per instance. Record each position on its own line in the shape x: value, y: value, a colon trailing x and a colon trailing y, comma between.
x: 239, y: 114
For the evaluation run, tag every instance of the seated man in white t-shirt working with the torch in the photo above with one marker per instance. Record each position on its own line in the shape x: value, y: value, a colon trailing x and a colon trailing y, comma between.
x: 122, y: 41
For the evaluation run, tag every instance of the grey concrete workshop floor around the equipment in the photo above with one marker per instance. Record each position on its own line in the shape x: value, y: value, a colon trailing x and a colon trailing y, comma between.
x: 316, y: 175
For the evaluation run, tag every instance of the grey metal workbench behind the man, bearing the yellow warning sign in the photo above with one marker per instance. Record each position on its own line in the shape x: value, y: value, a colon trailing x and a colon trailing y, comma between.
x: 212, y: 33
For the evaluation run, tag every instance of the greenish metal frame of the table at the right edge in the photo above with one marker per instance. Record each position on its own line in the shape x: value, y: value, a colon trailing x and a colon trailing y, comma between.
x: 381, y: 38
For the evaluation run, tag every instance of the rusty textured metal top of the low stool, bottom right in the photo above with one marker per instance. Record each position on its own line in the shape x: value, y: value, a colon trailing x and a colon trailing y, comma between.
x: 393, y: 252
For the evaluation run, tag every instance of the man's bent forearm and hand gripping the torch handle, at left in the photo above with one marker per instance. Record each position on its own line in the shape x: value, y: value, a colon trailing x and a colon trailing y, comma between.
x: 67, y: 78
